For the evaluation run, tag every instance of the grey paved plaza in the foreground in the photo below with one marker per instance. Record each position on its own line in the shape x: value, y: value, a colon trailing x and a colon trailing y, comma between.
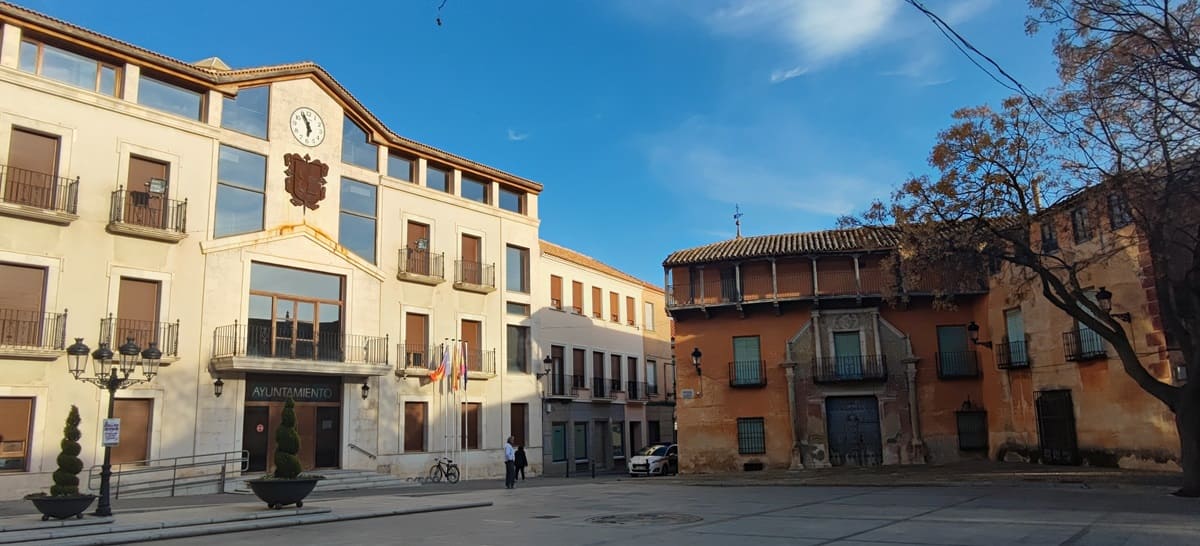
x: 662, y: 512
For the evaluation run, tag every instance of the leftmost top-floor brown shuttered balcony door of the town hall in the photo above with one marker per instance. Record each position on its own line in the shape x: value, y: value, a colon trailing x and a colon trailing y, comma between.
x: 31, y: 176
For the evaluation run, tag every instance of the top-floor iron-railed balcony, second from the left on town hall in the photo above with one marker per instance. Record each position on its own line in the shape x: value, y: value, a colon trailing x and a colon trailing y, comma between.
x: 148, y: 215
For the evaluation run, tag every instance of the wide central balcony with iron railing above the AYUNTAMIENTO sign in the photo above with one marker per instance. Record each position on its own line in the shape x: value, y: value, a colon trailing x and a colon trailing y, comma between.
x: 263, y: 350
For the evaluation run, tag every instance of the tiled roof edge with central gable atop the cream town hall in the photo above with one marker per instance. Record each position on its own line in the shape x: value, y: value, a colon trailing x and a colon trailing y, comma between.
x: 225, y: 81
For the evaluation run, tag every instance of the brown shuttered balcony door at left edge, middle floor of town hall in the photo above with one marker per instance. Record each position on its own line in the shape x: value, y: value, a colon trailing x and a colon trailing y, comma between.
x: 22, y: 301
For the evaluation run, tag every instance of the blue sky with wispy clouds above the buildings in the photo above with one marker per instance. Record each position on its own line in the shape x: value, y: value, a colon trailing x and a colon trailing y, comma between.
x: 646, y: 121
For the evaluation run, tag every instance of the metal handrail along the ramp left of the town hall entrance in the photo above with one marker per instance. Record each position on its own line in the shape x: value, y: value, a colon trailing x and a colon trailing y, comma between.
x: 173, y: 465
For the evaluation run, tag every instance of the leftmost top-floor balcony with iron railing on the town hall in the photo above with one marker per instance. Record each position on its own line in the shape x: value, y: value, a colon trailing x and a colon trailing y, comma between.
x: 38, y: 196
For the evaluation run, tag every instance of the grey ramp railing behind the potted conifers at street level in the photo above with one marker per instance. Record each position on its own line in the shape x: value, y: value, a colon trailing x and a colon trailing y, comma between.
x: 172, y: 473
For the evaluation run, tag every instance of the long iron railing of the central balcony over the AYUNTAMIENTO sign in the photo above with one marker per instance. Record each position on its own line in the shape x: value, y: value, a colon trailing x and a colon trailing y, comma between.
x: 243, y: 340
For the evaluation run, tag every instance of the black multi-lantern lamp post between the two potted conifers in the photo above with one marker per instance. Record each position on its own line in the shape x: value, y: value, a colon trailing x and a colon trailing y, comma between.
x: 109, y: 377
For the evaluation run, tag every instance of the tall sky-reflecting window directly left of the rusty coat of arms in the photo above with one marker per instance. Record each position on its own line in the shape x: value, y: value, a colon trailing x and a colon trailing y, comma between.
x: 242, y: 179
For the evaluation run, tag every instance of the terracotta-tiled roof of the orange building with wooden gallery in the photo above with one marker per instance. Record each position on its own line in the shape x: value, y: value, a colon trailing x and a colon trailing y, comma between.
x: 833, y: 242
